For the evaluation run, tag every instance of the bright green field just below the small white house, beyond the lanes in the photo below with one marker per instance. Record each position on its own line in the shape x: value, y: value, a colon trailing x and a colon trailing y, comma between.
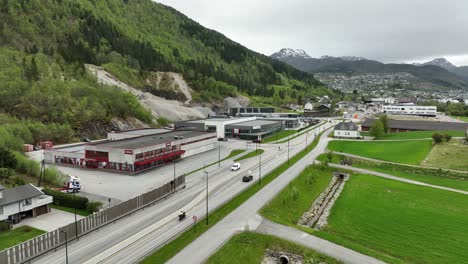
x: 409, y: 152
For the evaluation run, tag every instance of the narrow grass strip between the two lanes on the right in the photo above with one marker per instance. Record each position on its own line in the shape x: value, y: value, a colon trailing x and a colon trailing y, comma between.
x: 427, y: 175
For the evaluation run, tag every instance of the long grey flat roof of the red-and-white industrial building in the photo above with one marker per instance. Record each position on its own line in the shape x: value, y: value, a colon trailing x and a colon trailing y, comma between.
x: 145, y: 141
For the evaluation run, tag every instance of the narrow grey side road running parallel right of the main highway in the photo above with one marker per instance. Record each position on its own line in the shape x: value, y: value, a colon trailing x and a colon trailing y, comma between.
x: 246, y: 214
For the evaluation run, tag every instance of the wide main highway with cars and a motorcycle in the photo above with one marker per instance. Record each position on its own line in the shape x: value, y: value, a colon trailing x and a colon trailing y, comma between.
x: 132, y: 238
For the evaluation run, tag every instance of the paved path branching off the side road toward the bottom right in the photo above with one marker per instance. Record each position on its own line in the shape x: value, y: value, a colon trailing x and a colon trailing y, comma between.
x: 333, y: 250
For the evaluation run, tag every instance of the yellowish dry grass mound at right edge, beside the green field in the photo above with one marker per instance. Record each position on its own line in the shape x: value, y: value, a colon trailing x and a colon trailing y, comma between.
x: 451, y: 155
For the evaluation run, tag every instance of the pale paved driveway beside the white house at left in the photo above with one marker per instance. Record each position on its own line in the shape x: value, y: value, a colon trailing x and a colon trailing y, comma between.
x: 50, y: 221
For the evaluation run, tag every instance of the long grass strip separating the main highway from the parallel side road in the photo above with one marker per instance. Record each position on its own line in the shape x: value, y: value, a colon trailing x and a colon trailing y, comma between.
x: 170, y: 249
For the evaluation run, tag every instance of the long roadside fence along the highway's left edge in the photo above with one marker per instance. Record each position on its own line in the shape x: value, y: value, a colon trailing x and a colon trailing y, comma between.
x: 30, y: 249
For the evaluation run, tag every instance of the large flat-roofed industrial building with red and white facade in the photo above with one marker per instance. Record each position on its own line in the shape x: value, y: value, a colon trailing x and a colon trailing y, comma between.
x: 133, y: 151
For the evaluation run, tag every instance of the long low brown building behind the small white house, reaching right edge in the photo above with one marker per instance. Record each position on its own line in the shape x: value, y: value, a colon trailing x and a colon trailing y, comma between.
x: 409, y: 125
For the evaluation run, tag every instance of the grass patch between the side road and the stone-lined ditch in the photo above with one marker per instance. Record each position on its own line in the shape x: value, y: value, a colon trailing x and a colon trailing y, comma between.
x: 289, y: 205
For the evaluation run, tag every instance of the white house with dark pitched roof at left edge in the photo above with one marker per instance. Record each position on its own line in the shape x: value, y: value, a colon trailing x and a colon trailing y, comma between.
x: 23, y: 201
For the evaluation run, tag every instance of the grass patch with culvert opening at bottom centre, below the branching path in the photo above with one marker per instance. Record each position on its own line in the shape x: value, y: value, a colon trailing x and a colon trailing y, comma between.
x: 248, y: 247
